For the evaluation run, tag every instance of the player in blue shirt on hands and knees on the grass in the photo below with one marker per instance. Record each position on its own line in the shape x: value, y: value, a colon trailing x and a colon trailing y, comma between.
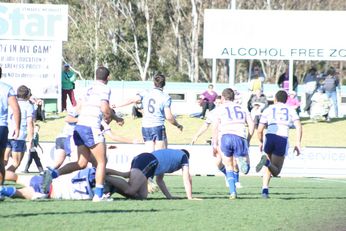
x: 147, y: 165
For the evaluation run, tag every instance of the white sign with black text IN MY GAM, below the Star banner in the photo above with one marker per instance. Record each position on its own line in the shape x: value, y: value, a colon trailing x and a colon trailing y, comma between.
x: 35, y: 64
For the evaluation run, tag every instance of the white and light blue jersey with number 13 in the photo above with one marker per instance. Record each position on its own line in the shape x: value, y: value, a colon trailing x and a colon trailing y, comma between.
x: 278, y: 118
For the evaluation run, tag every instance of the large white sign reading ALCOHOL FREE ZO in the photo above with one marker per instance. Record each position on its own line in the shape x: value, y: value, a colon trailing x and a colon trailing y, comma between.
x: 274, y: 34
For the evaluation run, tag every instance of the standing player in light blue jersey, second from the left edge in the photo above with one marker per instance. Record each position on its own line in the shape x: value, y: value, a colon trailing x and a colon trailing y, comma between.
x: 17, y: 147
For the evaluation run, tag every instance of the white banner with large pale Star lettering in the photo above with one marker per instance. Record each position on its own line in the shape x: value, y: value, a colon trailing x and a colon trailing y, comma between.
x: 33, y: 21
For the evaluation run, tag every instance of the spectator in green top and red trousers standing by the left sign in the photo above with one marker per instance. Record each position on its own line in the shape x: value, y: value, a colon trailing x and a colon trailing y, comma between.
x: 68, y: 79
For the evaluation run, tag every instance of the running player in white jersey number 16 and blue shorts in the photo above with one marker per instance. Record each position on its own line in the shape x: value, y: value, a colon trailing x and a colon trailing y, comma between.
x: 231, y: 138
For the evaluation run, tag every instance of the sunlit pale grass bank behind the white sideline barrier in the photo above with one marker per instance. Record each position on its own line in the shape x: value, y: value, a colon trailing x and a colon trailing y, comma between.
x: 320, y: 134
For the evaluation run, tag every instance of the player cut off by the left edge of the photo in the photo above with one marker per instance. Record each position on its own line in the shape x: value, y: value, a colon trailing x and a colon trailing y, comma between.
x: 7, y: 100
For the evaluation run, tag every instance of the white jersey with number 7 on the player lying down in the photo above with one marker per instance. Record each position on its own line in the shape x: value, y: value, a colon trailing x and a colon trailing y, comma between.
x: 73, y: 186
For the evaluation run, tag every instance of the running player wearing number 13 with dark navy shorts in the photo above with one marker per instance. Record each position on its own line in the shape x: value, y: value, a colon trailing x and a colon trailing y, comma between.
x: 277, y: 118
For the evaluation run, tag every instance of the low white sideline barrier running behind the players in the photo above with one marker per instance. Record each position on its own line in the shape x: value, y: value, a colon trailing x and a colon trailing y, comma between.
x: 313, y: 162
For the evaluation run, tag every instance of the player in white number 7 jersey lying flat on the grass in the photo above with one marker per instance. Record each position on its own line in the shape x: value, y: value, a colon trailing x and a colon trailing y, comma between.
x: 74, y: 186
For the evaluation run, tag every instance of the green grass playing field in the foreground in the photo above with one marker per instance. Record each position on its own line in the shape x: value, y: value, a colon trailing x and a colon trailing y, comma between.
x: 295, y: 204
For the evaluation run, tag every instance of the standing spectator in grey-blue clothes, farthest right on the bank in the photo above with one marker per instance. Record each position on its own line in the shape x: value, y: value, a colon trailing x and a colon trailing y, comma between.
x: 330, y: 84
